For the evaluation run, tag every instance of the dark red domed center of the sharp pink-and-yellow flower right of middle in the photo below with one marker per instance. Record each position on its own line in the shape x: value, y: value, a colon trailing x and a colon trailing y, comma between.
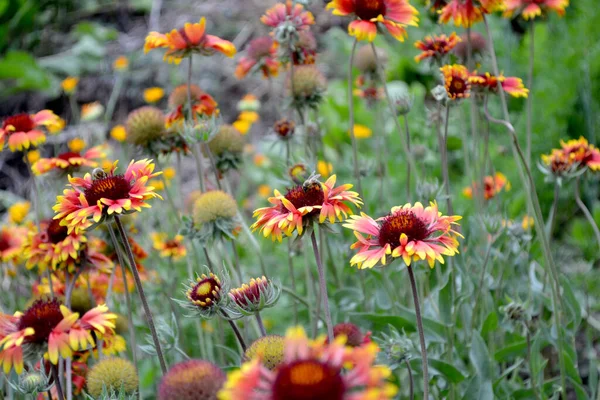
x: 400, y: 222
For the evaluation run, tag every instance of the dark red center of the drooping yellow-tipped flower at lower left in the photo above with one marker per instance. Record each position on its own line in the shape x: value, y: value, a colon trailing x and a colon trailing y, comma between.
x: 42, y: 316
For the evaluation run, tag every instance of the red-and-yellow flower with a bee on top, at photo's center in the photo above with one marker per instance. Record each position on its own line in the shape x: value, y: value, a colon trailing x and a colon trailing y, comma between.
x: 301, y: 205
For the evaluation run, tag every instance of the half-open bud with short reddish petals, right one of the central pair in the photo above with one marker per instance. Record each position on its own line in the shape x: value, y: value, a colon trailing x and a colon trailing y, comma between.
x: 254, y: 296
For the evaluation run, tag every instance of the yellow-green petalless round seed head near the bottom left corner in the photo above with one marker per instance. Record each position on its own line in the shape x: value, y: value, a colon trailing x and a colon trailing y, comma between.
x: 112, y: 374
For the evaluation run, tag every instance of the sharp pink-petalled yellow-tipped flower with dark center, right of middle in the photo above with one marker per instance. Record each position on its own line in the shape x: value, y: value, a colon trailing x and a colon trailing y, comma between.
x: 412, y: 232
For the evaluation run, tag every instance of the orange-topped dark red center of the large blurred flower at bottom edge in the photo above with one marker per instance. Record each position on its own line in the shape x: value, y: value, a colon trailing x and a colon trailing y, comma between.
x: 308, y: 380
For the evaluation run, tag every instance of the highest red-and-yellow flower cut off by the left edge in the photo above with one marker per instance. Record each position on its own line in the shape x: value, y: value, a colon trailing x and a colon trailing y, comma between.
x: 23, y: 130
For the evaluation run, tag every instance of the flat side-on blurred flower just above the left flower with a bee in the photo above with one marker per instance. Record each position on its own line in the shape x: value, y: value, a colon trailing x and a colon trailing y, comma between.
x: 69, y: 161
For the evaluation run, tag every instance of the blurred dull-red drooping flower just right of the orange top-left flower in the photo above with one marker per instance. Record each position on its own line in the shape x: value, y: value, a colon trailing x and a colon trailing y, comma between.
x: 260, y: 55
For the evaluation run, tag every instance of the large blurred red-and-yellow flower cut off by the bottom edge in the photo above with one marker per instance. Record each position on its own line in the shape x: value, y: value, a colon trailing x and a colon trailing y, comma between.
x: 313, y: 369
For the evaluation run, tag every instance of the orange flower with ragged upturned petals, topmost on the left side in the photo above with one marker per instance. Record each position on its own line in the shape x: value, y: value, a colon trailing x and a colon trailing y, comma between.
x: 190, y: 39
